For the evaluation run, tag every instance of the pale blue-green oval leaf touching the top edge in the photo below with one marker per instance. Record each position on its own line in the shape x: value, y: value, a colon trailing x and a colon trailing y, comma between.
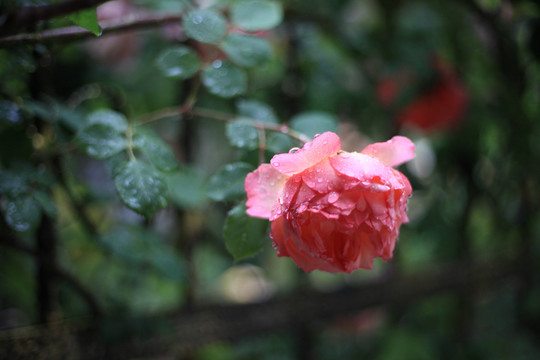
x: 255, y: 15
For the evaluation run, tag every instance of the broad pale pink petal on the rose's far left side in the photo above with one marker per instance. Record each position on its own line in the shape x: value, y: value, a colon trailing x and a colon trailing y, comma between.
x: 263, y: 187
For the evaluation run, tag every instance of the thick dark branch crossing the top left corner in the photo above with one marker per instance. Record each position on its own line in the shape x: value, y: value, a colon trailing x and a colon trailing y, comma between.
x: 30, y: 15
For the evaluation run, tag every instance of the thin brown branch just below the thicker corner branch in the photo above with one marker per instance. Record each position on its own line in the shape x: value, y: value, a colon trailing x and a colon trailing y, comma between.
x: 73, y: 33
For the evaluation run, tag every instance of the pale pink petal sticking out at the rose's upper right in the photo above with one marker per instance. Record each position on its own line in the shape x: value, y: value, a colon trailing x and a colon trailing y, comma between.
x: 394, y: 152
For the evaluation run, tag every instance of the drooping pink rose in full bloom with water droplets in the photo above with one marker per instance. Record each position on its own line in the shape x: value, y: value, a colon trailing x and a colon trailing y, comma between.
x: 332, y: 210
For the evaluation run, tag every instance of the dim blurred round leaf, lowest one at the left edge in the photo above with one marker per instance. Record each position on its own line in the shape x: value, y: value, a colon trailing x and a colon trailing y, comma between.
x: 22, y: 213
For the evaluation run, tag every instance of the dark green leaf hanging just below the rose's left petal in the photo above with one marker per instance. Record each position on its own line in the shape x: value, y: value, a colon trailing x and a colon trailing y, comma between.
x: 243, y: 234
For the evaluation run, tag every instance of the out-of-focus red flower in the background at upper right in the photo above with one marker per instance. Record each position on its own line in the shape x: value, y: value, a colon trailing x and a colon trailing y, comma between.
x: 439, y: 108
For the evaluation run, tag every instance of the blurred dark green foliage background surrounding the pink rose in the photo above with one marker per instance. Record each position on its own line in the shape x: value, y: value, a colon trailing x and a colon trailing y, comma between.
x: 122, y: 161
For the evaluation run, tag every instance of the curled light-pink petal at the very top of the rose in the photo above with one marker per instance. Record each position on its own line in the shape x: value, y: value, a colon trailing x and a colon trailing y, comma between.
x: 313, y: 152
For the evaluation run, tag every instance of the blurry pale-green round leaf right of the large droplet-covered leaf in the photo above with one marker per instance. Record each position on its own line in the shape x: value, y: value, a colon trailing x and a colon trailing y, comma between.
x: 187, y: 188
